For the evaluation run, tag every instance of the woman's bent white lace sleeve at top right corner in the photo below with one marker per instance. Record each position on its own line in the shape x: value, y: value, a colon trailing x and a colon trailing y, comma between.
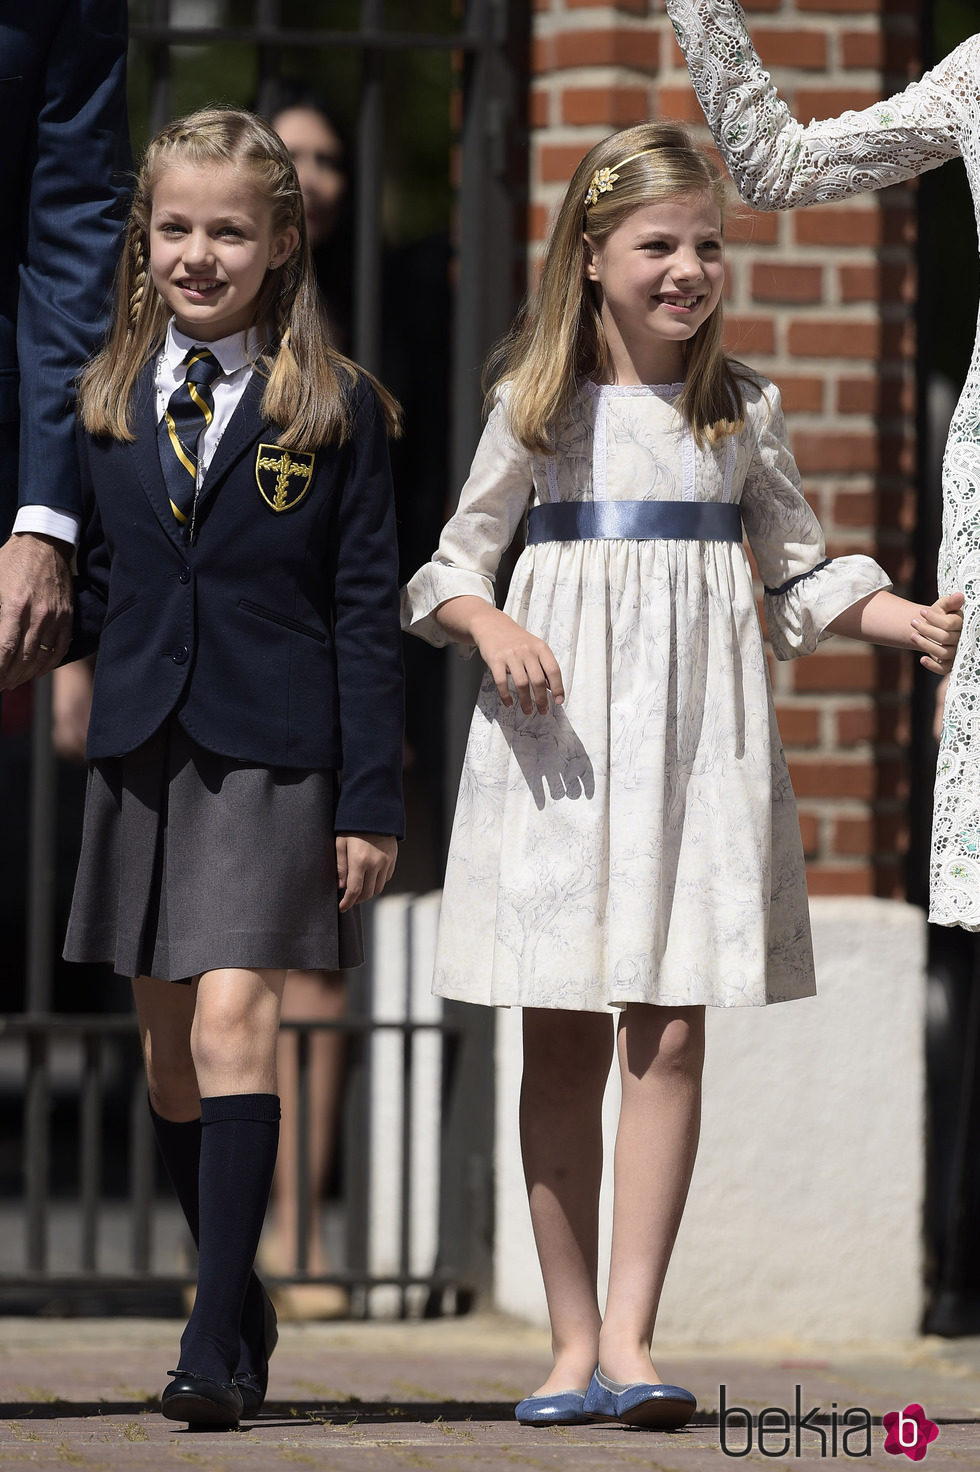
x: 776, y: 161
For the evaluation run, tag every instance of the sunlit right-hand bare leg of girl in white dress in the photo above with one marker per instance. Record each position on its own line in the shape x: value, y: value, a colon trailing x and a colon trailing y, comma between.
x: 661, y: 1058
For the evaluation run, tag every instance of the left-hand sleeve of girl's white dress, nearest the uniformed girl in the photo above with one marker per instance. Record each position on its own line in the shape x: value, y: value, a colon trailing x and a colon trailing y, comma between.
x: 473, y: 542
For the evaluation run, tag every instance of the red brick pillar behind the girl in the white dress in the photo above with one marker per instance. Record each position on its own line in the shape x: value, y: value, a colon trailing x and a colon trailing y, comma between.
x: 822, y: 301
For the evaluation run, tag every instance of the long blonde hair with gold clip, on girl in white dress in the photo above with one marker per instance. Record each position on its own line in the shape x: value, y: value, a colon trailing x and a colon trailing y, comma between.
x: 558, y: 338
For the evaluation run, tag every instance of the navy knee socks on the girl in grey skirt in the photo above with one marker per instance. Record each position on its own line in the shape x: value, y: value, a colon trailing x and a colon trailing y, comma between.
x: 221, y: 1168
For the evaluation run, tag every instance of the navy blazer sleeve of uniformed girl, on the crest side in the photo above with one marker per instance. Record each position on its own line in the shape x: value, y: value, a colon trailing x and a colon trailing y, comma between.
x: 367, y: 635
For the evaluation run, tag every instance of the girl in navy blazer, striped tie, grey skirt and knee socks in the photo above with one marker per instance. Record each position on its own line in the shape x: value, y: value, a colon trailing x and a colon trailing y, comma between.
x: 239, y: 575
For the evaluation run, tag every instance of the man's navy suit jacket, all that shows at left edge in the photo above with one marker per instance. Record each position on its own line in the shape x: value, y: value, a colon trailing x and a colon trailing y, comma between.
x: 65, y: 141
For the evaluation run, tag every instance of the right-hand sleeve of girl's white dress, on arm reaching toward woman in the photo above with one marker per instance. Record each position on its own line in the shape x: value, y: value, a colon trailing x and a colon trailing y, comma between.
x: 804, y: 590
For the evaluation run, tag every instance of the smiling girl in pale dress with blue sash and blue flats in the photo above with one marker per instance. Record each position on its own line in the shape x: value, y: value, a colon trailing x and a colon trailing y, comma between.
x: 626, y: 849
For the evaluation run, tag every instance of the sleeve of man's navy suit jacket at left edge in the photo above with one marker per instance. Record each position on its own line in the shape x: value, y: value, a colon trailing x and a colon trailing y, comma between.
x: 77, y: 191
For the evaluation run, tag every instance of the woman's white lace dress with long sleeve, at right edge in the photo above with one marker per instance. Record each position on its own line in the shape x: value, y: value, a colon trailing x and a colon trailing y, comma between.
x: 778, y: 163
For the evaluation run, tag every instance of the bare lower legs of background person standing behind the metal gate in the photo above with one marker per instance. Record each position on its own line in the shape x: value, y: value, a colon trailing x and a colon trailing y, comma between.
x: 310, y: 997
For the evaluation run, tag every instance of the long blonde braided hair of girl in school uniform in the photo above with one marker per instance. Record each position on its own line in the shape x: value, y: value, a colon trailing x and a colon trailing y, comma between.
x: 310, y: 389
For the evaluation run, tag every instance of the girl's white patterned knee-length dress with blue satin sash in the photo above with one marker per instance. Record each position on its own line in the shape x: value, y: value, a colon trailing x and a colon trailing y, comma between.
x: 639, y: 843
